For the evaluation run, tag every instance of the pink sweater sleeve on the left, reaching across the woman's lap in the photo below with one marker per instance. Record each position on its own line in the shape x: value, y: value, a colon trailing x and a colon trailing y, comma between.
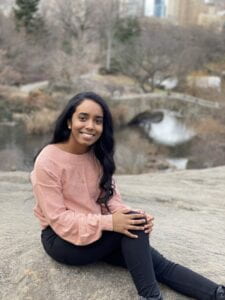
x: 77, y: 228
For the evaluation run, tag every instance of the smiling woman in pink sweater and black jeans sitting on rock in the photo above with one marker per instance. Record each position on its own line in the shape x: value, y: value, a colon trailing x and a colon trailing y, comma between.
x: 80, y: 210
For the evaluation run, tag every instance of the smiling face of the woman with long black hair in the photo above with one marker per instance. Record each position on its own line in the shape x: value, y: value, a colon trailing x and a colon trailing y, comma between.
x: 86, y: 125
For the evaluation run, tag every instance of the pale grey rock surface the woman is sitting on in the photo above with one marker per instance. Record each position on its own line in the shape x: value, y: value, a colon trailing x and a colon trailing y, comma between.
x: 189, y: 228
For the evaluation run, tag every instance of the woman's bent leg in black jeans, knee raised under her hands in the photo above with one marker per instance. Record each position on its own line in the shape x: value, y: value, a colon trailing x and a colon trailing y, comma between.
x: 135, y: 251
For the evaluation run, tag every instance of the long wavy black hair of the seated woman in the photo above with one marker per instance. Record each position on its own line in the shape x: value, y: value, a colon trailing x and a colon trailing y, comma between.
x: 104, y: 146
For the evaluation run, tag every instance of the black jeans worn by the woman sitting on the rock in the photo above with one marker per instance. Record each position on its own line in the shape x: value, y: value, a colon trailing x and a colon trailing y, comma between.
x: 145, y: 264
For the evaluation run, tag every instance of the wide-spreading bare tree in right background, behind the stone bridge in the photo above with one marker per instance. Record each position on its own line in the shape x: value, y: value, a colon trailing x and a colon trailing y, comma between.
x: 163, y: 51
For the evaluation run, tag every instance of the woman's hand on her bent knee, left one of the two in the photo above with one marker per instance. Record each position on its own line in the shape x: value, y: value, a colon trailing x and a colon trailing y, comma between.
x: 123, y: 222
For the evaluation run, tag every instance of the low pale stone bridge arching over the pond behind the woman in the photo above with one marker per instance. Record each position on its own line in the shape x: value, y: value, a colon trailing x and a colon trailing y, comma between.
x: 184, y: 105
